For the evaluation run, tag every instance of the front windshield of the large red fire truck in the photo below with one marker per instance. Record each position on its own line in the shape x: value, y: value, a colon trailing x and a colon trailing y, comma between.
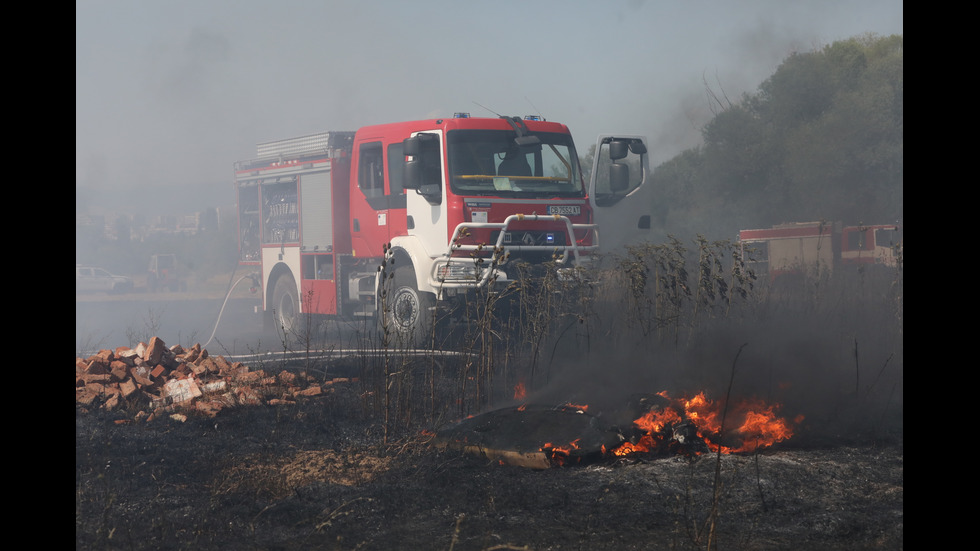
x: 489, y: 162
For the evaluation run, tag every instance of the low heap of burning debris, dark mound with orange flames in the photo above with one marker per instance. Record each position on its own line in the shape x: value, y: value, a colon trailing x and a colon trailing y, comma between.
x: 541, y: 437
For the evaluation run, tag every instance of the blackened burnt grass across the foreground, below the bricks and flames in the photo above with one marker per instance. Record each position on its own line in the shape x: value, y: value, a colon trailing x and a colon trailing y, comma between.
x: 318, y: 475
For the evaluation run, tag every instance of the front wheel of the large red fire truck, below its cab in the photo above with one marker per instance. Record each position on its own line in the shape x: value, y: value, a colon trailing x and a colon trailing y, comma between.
x: 408, y: 316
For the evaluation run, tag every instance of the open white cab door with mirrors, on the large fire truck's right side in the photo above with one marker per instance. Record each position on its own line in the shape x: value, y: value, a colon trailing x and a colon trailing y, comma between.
x: 620, y: 191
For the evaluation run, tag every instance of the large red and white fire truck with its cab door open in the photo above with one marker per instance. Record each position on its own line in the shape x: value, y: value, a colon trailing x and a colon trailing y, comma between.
x: 397, y: 222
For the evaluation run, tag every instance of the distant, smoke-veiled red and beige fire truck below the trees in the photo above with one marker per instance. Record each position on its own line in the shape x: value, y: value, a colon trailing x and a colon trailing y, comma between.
x: 813, y: 248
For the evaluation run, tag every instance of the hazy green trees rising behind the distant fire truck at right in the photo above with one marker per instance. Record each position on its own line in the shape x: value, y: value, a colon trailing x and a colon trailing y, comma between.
x: 821, y: 139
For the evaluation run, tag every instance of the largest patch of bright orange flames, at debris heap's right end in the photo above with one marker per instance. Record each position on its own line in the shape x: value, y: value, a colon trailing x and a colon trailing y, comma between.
x: 749, y: 425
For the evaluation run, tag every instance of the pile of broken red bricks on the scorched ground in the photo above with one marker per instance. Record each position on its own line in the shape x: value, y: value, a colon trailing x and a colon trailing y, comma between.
x: 152, y: 380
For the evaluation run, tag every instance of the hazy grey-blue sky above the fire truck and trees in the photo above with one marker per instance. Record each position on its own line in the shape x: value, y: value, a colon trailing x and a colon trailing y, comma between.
x: 173, y: 92
